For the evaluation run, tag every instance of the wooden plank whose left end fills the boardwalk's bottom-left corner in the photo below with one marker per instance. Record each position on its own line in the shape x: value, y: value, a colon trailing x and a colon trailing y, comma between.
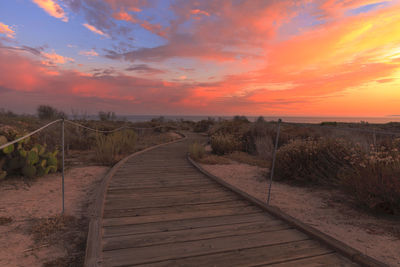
x: 157, y: 253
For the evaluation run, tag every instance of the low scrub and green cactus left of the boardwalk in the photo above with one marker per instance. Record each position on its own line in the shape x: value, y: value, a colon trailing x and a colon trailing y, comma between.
x: 40, y: 154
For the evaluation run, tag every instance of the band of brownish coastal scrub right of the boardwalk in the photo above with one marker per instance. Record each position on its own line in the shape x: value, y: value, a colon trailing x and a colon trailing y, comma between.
x: 347, y: 156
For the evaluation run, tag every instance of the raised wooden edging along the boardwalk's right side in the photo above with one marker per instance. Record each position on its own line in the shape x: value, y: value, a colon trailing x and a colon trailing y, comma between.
x: 331, y: 242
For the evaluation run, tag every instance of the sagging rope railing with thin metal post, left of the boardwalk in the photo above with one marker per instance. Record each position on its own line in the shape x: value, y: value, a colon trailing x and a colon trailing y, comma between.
x: 63, y: 140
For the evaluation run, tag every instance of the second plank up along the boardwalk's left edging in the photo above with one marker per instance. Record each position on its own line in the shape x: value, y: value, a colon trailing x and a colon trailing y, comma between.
x: 172, y: 237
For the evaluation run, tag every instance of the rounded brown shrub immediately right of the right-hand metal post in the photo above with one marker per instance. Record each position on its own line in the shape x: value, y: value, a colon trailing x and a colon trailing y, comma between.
x: 312, y: 161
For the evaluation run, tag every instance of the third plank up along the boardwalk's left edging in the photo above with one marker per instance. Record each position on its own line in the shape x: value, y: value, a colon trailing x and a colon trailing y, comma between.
x: 183, y: 224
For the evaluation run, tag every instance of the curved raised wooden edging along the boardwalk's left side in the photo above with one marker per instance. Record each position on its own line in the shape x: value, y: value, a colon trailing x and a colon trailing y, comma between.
x: 93, y: 252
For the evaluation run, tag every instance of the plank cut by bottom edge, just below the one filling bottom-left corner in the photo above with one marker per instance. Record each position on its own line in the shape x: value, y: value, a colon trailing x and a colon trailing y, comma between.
x: 252, y: 256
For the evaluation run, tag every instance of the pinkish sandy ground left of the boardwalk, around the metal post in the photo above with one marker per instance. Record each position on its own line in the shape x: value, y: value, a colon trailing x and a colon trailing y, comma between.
x: 41, y: 199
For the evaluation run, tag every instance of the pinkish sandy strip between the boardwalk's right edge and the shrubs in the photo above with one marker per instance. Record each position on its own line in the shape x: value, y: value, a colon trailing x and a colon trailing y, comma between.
x: 327, y: 210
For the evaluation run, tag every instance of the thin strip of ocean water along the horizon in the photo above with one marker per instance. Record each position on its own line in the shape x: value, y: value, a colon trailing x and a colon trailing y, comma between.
x: 141, y: 118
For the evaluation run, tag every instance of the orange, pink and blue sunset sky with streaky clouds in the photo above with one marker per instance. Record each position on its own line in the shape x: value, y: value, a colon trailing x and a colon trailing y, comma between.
x: 201, y: 57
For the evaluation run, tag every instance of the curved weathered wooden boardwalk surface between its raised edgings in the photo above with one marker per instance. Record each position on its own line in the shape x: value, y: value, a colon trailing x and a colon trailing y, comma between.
x: 161, y: 211
